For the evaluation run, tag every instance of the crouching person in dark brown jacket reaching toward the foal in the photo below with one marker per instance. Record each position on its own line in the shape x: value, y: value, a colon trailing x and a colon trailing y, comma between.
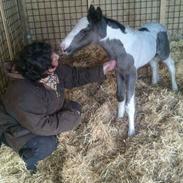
x: 35, y: 101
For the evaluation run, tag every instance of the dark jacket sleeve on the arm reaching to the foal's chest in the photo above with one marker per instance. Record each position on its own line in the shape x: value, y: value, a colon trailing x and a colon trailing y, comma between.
x: 78, y: 76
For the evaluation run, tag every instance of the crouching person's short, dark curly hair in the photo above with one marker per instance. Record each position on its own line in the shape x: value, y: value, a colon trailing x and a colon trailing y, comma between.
x: 34, y: 60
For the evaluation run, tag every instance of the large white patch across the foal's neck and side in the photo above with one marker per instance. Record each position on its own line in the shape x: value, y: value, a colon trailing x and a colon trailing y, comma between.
x: 141, y: 45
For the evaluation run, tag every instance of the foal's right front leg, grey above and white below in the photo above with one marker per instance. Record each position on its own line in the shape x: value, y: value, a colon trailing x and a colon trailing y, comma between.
x: 130, y: 100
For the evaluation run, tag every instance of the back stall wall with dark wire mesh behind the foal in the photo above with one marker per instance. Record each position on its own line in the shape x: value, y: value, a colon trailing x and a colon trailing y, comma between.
x: 51, y: 20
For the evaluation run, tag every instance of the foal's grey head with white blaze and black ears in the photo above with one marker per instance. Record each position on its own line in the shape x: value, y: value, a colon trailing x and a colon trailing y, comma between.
x: 88, y: 29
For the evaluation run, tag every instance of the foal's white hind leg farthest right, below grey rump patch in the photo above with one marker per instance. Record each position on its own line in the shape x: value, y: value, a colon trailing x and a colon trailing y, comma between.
x: 169, y: 62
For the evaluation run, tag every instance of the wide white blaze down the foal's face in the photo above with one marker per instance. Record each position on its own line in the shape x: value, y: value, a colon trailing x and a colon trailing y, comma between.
x: 82, y: 23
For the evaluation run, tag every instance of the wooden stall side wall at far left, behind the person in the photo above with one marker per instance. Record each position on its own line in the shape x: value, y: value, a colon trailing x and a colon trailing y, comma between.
x: 11, y: 34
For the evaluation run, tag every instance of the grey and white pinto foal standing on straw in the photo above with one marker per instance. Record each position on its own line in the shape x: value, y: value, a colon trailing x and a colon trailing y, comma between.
x: 131, y: 48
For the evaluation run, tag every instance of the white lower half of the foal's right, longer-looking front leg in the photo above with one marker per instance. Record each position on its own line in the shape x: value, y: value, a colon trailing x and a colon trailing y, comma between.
x: 130, y: 109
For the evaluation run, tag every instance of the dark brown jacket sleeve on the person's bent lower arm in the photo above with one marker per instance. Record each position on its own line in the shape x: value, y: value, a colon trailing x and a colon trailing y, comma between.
x: 33, y: 116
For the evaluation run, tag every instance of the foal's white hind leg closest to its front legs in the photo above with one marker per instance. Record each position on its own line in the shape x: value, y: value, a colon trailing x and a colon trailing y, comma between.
x: 155, y: 69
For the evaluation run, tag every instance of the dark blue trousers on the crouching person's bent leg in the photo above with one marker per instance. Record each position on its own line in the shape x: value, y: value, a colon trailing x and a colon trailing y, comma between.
x: 37, y: 149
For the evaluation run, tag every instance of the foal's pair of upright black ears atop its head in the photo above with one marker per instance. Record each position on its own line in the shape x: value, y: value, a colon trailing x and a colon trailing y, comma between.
x: 94, y: 16
